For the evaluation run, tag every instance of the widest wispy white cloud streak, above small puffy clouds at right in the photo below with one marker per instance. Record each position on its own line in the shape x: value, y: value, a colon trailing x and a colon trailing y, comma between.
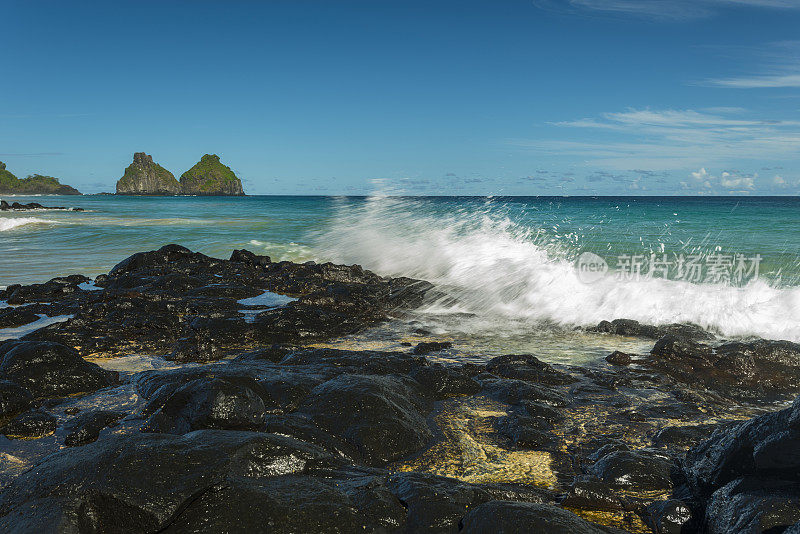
x: 671, y: 139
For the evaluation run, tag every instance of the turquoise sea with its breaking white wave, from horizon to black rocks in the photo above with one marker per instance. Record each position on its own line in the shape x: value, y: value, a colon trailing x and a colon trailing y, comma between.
x: 508, y: 265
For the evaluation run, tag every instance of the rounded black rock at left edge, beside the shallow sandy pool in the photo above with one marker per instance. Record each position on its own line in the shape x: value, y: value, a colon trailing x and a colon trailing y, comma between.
x: 50, y: 369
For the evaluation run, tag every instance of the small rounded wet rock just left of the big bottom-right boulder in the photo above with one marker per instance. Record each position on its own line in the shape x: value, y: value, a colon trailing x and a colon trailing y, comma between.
x: 638, y: 471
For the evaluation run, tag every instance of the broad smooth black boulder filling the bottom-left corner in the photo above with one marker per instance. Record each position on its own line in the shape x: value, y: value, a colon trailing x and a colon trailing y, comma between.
x: 147, y: 479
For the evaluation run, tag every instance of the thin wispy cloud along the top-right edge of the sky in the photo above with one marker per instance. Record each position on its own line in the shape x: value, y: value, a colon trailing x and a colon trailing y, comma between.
x: 674, y: 10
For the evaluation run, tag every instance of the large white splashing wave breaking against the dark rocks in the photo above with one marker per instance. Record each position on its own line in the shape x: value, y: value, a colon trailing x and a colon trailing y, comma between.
x: 504, y: 273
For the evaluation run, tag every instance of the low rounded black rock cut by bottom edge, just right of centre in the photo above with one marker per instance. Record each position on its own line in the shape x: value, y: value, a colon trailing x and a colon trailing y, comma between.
x: 516, y: 517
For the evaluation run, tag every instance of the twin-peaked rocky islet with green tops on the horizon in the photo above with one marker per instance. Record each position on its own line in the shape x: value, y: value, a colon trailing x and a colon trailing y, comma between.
x: 208, y: 177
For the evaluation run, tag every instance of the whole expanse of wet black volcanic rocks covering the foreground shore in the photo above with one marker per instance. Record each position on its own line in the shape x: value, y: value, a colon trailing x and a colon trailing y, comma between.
x: 241, y: 419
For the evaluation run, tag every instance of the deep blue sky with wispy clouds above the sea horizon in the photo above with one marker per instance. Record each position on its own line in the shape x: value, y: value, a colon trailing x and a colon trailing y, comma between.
x: 468, y: 97
